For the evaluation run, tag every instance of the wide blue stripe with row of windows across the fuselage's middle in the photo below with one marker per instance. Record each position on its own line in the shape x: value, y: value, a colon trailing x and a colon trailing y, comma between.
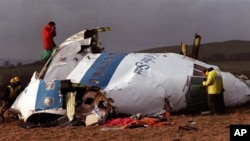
x: 101, y: 71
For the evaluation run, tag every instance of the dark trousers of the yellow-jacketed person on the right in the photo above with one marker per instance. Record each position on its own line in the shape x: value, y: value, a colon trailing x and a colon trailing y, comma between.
x: 216, y: 103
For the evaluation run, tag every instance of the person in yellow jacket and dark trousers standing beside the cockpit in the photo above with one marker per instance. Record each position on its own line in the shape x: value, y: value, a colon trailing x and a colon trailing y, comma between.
x: 214, y: 84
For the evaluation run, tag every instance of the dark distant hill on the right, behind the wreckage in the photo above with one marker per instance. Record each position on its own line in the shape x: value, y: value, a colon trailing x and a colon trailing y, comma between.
x: 234, y: 50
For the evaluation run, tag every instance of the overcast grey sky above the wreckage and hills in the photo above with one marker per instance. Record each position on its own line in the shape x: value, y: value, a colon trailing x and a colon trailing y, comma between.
x: 136, y: 24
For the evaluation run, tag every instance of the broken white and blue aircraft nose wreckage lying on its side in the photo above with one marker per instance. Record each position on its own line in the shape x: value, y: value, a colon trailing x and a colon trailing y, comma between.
x: 81, y: 80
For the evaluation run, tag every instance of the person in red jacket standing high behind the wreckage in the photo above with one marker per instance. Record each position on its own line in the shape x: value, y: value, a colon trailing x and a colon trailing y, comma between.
x: 49, y: 32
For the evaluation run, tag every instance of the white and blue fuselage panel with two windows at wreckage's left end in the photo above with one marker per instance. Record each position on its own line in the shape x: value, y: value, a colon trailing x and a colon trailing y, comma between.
x: 37, y: 96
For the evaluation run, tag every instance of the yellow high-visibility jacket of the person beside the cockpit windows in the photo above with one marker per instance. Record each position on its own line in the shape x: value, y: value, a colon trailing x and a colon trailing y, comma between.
x: 214, y: 83
